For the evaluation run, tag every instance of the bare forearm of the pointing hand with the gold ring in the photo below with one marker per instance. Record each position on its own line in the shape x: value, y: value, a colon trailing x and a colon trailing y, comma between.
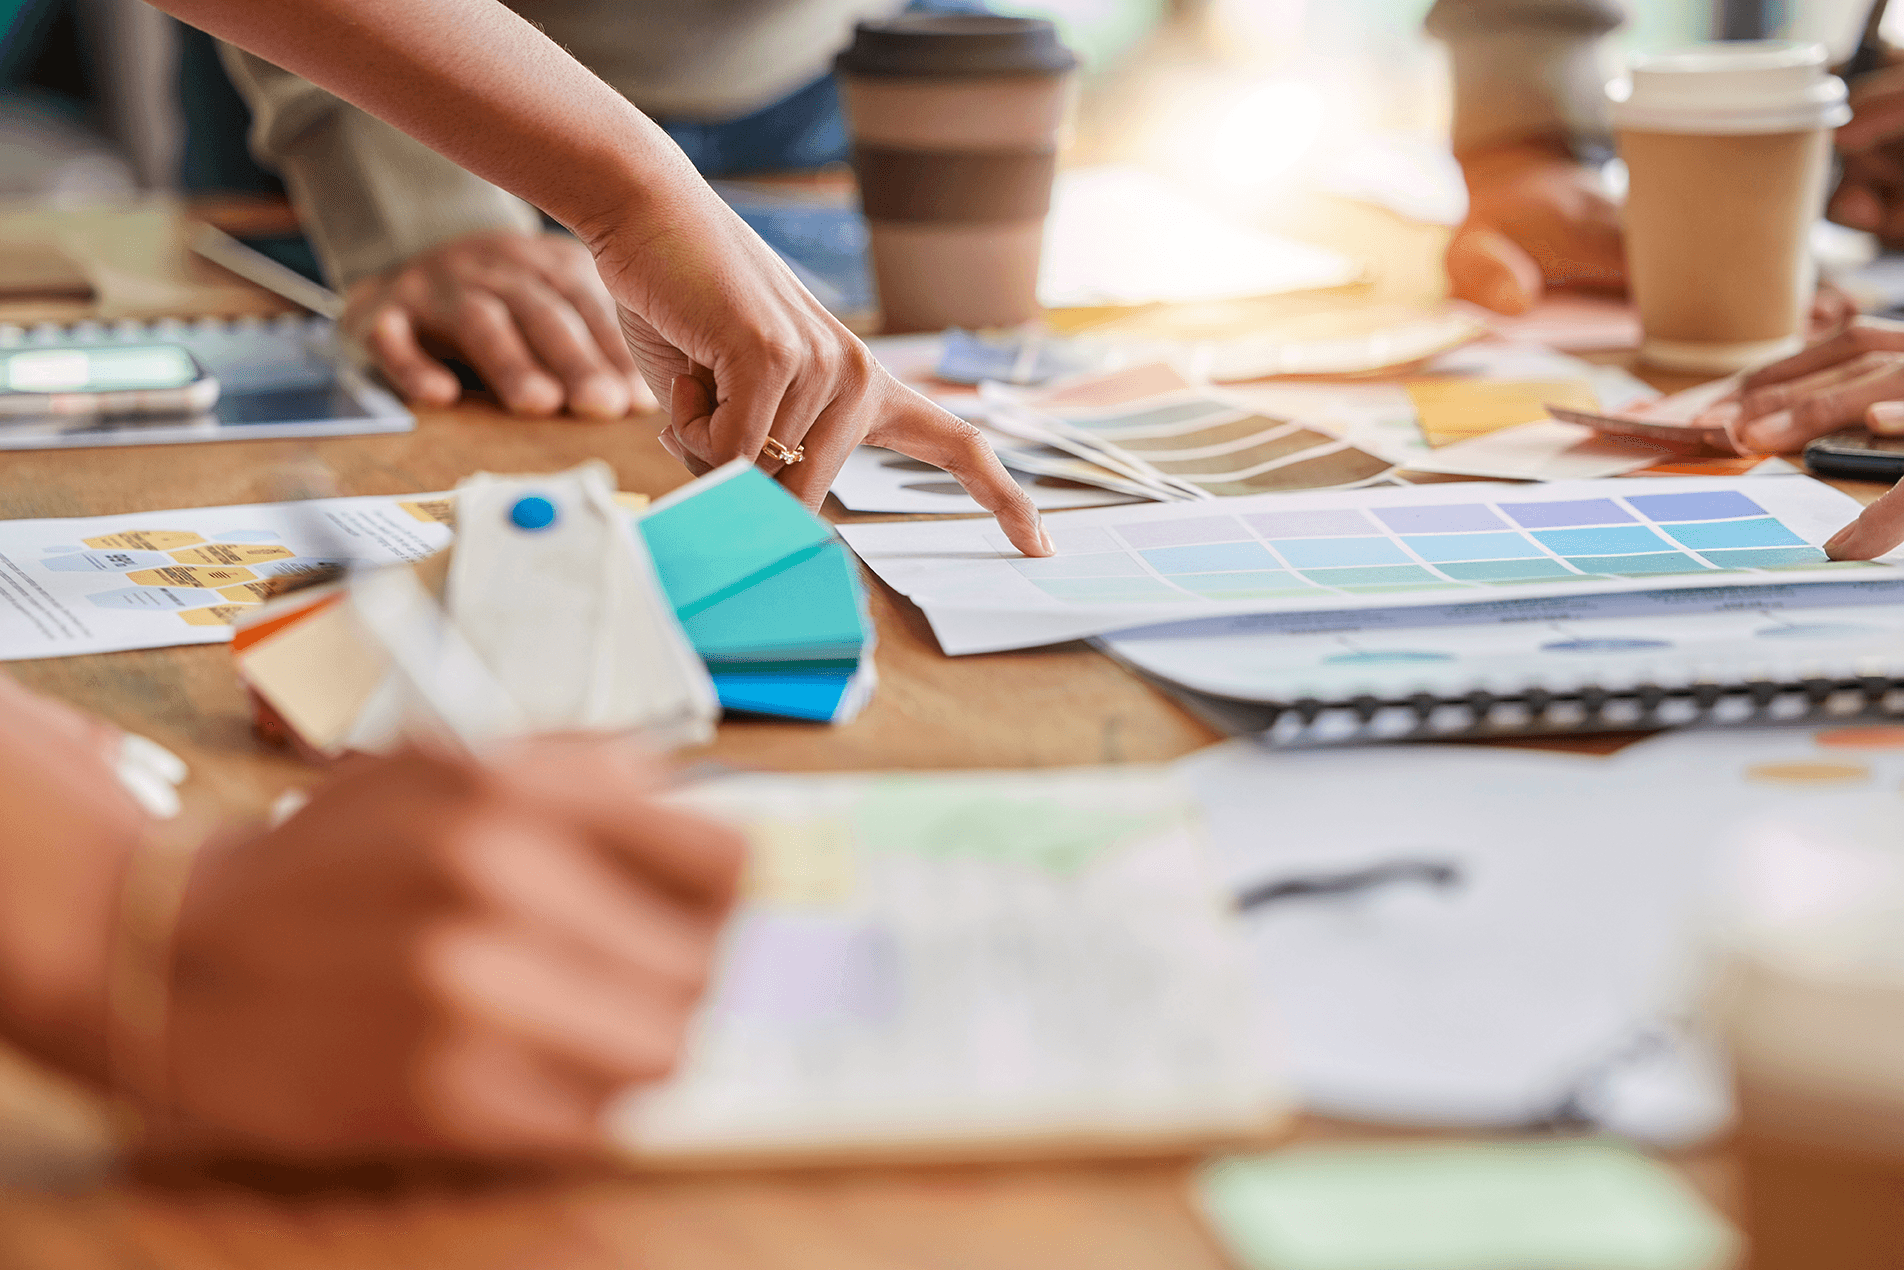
x: 477, y: 85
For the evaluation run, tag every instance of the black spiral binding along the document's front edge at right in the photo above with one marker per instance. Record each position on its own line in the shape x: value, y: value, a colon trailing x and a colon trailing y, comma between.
x: 1537, y: 713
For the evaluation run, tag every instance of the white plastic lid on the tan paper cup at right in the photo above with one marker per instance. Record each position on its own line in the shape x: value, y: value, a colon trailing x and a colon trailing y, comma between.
x: 1741, y: 87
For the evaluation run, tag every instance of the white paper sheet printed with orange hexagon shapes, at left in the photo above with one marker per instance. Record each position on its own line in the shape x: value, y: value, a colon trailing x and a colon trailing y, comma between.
x: 153, y: 580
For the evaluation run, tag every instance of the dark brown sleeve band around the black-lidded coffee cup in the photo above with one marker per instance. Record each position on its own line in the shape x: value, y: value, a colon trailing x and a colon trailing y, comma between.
x: 955, y: 186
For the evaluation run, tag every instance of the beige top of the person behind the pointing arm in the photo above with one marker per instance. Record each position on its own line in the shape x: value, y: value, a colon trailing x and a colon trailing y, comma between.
x: 370, y: 197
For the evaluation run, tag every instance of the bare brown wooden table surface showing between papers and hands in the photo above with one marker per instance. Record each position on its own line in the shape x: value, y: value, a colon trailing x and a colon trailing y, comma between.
x: 64, y: 1208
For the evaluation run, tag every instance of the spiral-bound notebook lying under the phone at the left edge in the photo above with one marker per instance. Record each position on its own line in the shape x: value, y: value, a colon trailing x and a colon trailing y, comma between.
x: 279, y: 378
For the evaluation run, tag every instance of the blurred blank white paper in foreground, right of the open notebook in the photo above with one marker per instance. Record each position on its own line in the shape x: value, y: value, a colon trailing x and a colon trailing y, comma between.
x: 1539, y: 983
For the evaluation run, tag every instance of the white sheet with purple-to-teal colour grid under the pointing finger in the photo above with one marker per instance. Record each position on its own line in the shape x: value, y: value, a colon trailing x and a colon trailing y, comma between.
x: 1359, y: 551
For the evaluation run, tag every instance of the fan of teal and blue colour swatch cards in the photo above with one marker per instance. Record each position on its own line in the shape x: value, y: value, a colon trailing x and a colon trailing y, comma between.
x: 766, y: 595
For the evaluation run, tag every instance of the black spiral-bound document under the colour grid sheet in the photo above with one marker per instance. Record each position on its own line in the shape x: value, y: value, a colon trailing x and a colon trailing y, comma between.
x: 1539, y: 667
